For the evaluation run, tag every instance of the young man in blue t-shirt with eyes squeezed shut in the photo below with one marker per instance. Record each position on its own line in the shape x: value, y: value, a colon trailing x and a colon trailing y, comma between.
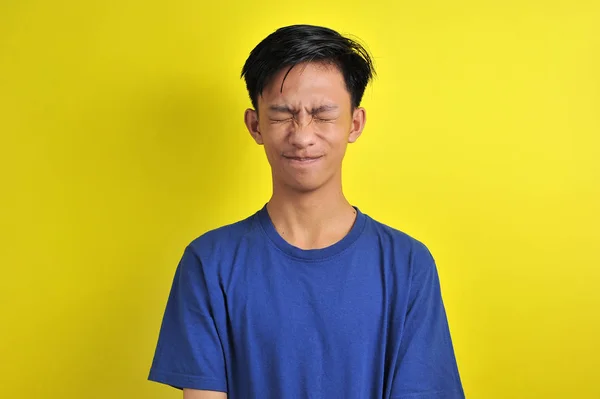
x: 309, y: 297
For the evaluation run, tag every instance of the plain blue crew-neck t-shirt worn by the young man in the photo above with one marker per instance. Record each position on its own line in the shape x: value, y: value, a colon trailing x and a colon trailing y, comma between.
x: 254, y: 316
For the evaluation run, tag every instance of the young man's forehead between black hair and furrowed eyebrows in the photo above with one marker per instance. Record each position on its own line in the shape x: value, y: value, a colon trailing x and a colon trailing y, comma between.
x: 307, y: 84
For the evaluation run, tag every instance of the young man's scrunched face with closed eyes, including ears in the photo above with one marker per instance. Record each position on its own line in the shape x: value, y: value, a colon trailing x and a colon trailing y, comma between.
x: 306, y: 127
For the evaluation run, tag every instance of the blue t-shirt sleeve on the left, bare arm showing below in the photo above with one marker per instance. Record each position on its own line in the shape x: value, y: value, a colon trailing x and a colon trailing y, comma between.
x: 189, y: 353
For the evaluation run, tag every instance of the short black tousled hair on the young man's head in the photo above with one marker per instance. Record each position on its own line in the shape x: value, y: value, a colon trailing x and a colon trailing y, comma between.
x: 295, y: 44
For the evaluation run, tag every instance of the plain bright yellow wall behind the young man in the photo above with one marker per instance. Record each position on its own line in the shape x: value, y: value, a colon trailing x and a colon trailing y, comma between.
x: 122, y: 140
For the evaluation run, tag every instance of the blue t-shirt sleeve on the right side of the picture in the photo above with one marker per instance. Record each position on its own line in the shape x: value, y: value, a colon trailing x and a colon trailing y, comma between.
x: 427, y: 367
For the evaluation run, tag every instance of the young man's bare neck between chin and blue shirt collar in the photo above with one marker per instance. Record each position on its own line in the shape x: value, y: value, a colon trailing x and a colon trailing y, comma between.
x: 311, y: 220
